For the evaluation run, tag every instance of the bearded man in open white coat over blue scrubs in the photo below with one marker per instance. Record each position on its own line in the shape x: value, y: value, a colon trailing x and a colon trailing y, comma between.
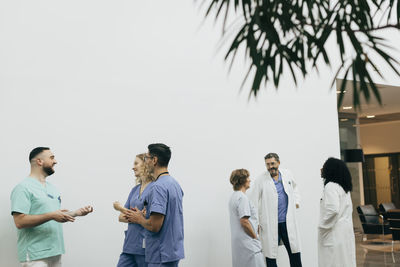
x: 275, y: 196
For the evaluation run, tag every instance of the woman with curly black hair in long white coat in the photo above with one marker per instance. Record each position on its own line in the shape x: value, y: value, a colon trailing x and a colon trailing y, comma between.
x: 336, y: 245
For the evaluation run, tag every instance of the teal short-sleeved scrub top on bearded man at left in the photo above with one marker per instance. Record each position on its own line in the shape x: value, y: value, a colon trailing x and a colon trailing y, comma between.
x: 45, y: 240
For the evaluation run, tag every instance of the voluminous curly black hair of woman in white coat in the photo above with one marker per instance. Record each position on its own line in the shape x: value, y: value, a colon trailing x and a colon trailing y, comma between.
x: 336, y: 171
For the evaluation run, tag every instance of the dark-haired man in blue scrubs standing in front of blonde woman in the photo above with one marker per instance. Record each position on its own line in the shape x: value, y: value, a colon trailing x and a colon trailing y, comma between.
x: 164, y: 214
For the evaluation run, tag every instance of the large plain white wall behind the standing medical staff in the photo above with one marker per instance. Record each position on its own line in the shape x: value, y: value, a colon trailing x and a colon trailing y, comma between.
x: 99, y: 80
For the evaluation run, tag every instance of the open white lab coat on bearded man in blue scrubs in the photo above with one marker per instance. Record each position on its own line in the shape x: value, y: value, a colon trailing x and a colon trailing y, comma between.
x: 264, y: 196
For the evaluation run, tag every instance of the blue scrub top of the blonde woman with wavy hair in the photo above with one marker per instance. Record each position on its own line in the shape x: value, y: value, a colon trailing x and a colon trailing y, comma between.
x: 134, y: 236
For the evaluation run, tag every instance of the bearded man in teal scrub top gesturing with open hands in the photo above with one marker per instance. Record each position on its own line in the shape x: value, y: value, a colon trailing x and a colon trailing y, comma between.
x: 35, y: 206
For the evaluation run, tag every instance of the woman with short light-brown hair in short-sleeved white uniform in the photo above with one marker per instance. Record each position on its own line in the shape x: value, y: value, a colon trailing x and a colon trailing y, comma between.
x: 246, y: 247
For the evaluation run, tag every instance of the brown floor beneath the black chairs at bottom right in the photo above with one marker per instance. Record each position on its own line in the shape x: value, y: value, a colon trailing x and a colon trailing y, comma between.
x: 374, y: 258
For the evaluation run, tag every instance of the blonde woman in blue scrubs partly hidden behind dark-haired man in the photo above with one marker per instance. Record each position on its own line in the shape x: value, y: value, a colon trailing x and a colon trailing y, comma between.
x: 134, y: 245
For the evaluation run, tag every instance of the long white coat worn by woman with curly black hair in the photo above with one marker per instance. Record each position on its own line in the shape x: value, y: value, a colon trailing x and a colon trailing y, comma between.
x: 336, y: 245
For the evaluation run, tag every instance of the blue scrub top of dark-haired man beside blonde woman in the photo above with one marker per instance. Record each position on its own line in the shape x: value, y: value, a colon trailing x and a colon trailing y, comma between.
x: 165, y: 197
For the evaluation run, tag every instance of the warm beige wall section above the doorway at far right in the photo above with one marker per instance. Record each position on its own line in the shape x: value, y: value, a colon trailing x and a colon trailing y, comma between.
x: 380, y: 138
